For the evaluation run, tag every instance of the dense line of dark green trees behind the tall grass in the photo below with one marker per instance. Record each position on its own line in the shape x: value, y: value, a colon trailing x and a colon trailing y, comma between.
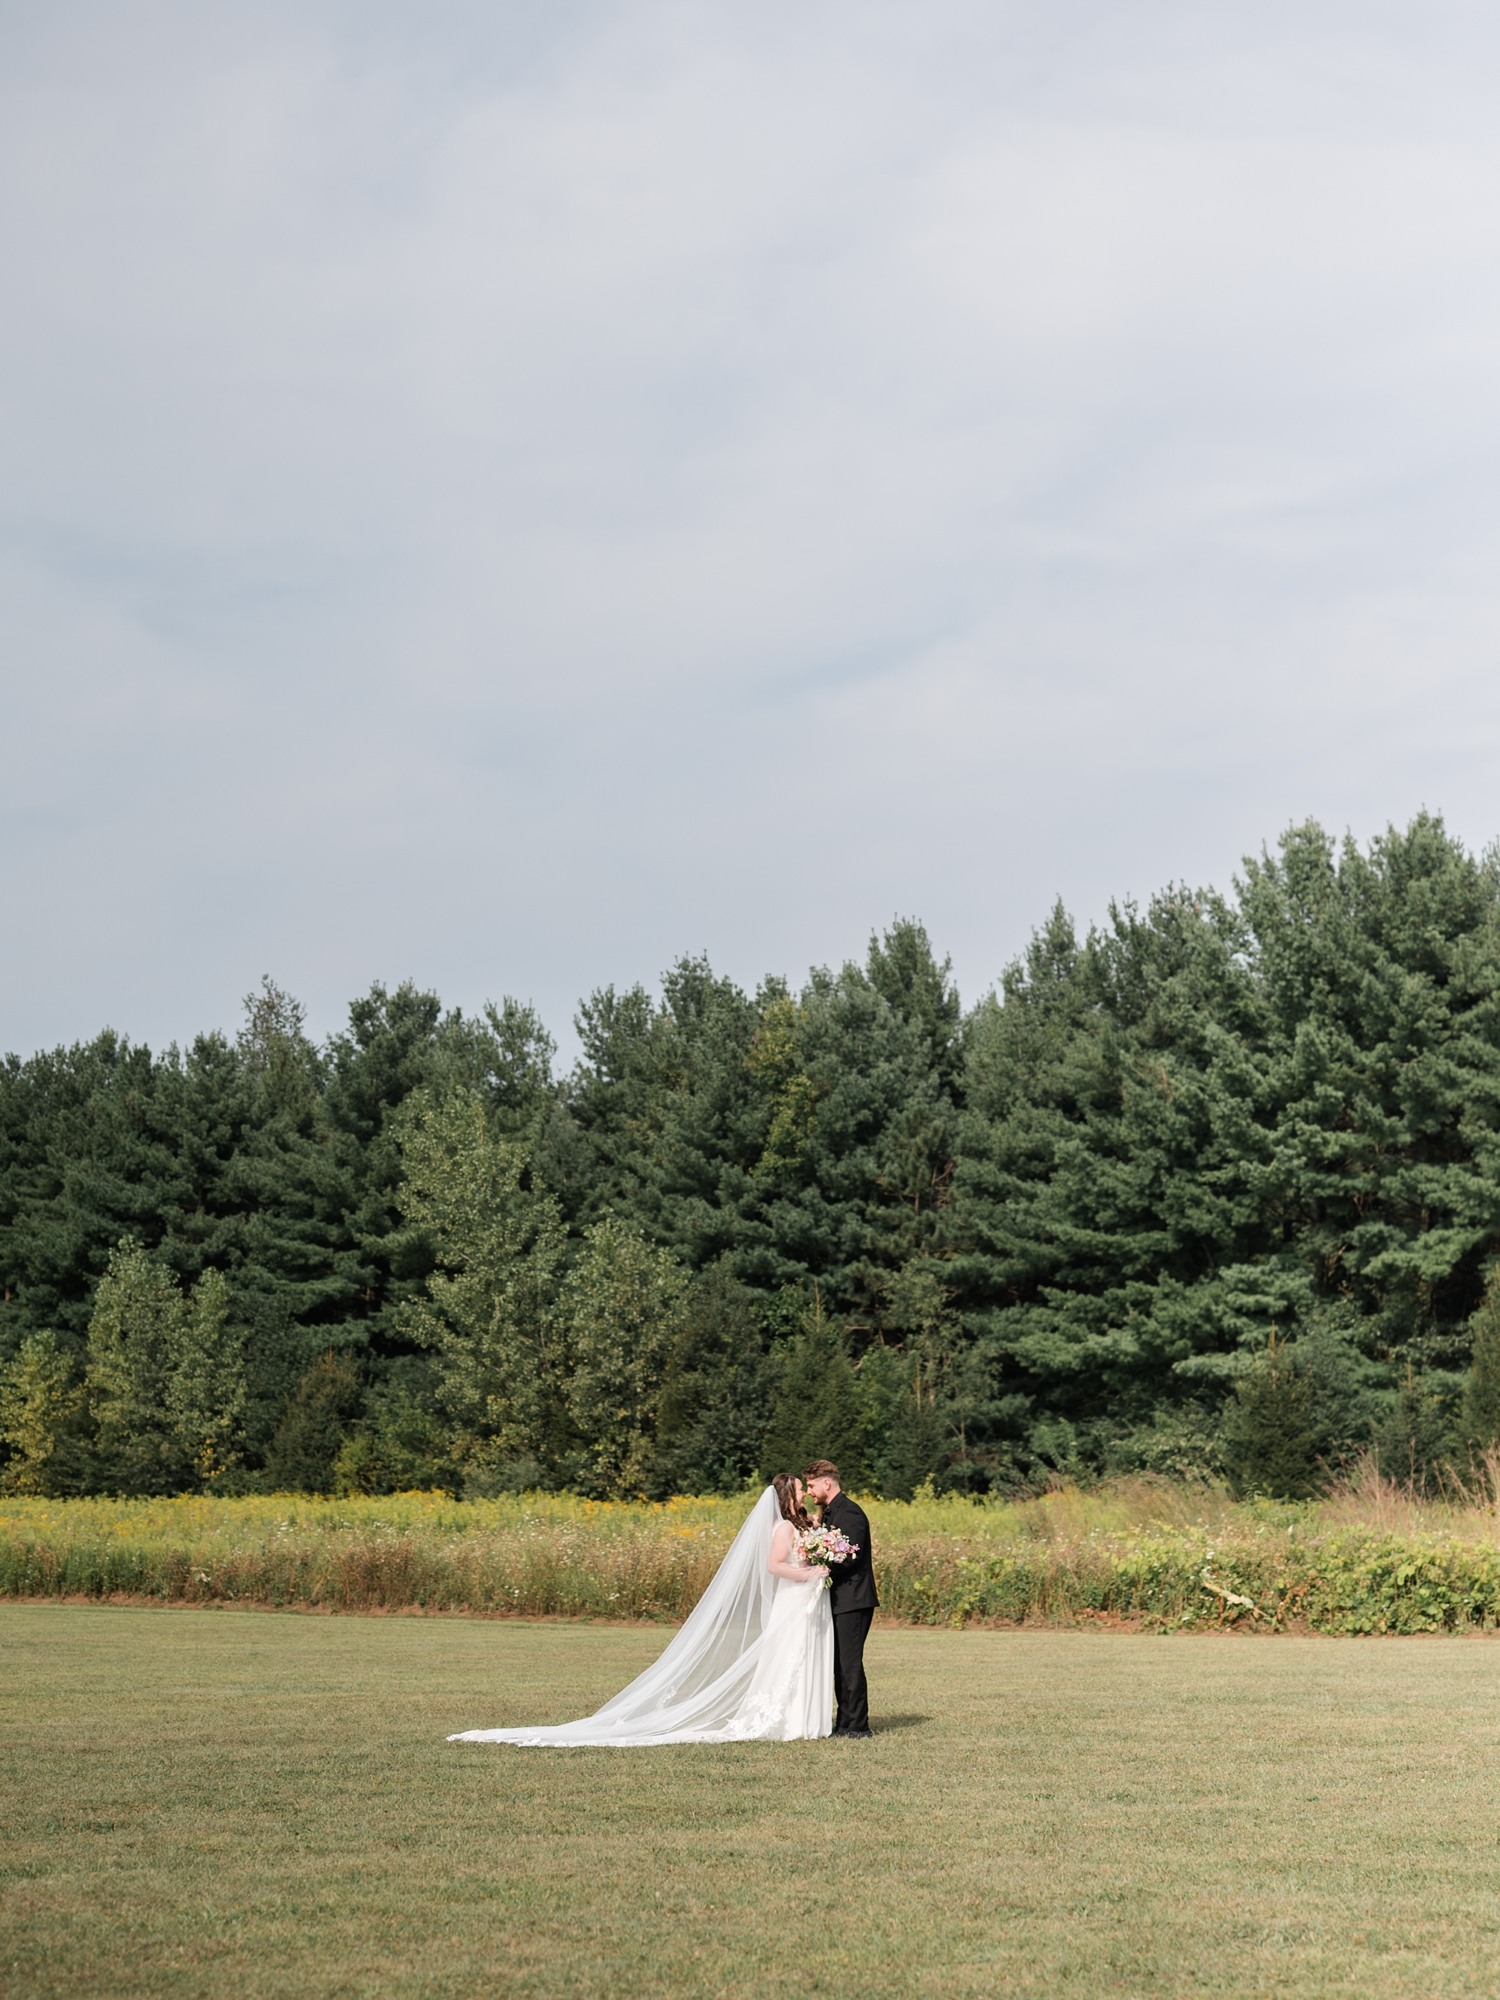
x: 1215, y: 1187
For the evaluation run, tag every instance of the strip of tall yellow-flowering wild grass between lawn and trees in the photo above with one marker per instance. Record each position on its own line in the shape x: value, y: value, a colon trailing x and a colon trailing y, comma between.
x: 1169, y: 1557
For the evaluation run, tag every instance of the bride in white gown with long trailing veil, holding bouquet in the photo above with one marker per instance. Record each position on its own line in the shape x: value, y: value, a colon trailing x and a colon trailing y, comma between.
x: 755, y: 1663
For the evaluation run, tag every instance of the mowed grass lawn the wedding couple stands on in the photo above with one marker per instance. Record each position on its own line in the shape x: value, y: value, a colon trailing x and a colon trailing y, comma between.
x: 253, y: 1805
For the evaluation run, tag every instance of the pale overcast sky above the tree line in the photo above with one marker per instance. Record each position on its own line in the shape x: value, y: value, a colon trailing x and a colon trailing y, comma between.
x: 507, y: 495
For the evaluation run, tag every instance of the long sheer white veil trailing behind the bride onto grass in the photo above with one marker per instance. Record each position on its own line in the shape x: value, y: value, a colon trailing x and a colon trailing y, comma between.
x: 697, y: 1687
